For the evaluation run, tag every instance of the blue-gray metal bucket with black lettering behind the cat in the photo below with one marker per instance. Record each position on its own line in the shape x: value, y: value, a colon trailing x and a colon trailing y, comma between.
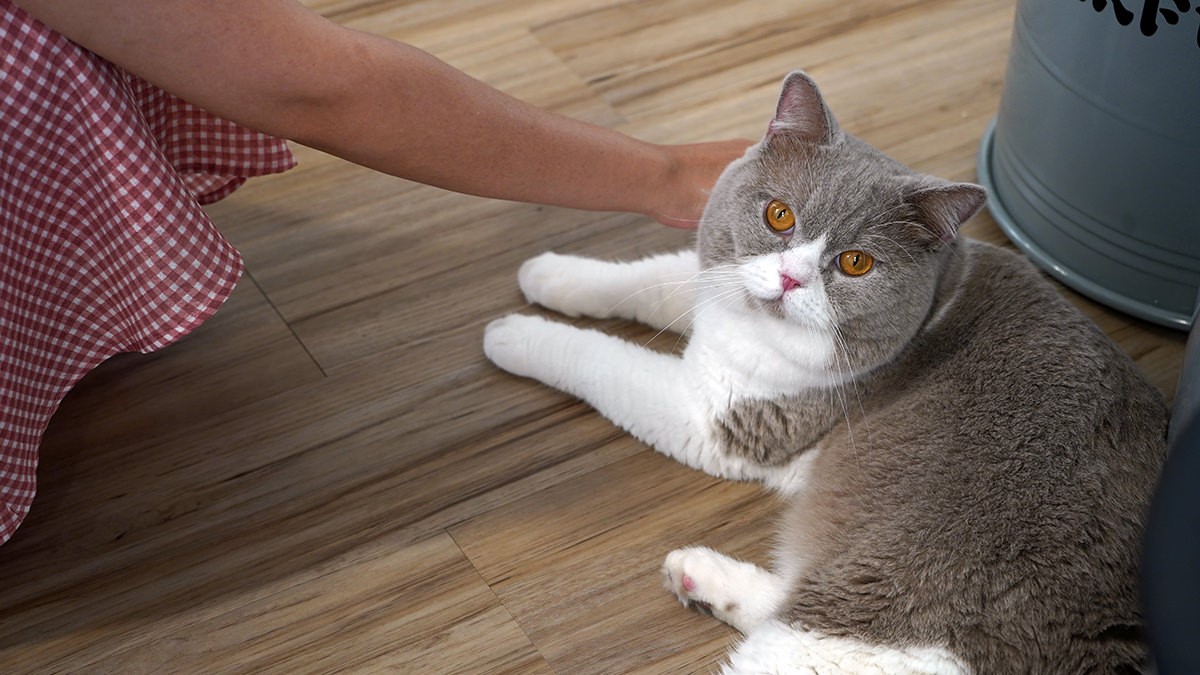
x: 1094, y: 160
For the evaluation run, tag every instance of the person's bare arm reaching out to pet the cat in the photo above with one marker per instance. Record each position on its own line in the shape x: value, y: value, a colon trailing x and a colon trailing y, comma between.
x: 278, y: 68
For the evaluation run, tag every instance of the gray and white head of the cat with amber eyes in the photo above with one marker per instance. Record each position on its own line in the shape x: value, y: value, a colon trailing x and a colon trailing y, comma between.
x: 827, y: 234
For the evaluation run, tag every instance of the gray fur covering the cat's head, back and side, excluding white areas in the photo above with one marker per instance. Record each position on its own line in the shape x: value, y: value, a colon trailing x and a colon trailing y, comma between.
x: 983, y: 477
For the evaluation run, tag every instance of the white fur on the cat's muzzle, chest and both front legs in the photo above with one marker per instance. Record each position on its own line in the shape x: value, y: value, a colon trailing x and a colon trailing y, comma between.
x: 668, y: 402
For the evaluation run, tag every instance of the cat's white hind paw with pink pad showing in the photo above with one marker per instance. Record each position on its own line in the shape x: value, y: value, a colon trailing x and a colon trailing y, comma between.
x: 737, y: 593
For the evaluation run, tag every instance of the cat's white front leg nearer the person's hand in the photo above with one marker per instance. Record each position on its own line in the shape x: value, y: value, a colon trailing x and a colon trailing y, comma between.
x: 658, y: 291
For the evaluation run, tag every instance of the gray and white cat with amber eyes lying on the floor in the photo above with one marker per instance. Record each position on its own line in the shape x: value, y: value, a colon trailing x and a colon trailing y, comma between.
x: 968, y: 459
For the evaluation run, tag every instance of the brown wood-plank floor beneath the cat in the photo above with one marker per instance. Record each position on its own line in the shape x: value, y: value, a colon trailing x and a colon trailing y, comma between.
x: 329, y: 476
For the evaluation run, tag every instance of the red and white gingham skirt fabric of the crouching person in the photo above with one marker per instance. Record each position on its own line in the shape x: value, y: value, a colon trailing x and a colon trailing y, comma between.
x: 104, y: 246
